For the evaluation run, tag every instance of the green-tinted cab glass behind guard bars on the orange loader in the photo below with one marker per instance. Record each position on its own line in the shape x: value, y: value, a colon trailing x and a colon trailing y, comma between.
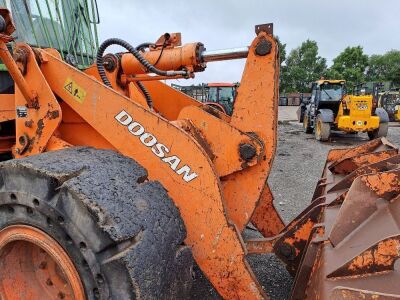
x: 68, y: 26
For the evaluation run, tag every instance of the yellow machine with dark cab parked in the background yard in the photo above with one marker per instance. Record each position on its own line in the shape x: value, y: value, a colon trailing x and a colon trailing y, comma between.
x: 332, y: 108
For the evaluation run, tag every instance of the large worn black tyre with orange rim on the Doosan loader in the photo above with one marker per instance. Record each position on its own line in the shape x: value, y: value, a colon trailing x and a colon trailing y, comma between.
x: 85, y: 223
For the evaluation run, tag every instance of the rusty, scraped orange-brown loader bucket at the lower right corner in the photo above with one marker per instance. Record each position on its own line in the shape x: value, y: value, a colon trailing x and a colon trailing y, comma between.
x: 353, y: 245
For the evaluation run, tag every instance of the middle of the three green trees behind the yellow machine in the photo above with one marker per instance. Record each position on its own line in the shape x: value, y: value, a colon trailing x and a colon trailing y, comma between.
x: 351, y: 65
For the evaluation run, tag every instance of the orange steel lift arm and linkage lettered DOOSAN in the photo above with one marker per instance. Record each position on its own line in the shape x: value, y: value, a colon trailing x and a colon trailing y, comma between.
x: 203, y: 159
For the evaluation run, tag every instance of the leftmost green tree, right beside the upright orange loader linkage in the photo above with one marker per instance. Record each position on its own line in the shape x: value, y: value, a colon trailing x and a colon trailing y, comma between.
x: 302, y: 66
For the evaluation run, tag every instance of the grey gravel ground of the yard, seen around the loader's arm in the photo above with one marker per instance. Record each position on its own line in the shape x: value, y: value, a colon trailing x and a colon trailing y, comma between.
x: 297, y: 167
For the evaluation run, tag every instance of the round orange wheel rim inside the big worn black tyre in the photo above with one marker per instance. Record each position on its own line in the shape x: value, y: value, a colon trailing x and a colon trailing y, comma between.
x: 35, y: 266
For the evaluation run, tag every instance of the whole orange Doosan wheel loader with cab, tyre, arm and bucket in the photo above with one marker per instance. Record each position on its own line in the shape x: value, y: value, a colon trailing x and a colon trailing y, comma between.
x: 112, y: 182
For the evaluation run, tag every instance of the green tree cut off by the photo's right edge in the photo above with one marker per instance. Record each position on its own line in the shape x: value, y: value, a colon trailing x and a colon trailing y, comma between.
x: 385, y: 67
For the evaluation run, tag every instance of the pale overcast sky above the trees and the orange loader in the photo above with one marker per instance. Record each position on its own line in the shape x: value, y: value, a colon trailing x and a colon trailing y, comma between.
x: 375, y: 25
